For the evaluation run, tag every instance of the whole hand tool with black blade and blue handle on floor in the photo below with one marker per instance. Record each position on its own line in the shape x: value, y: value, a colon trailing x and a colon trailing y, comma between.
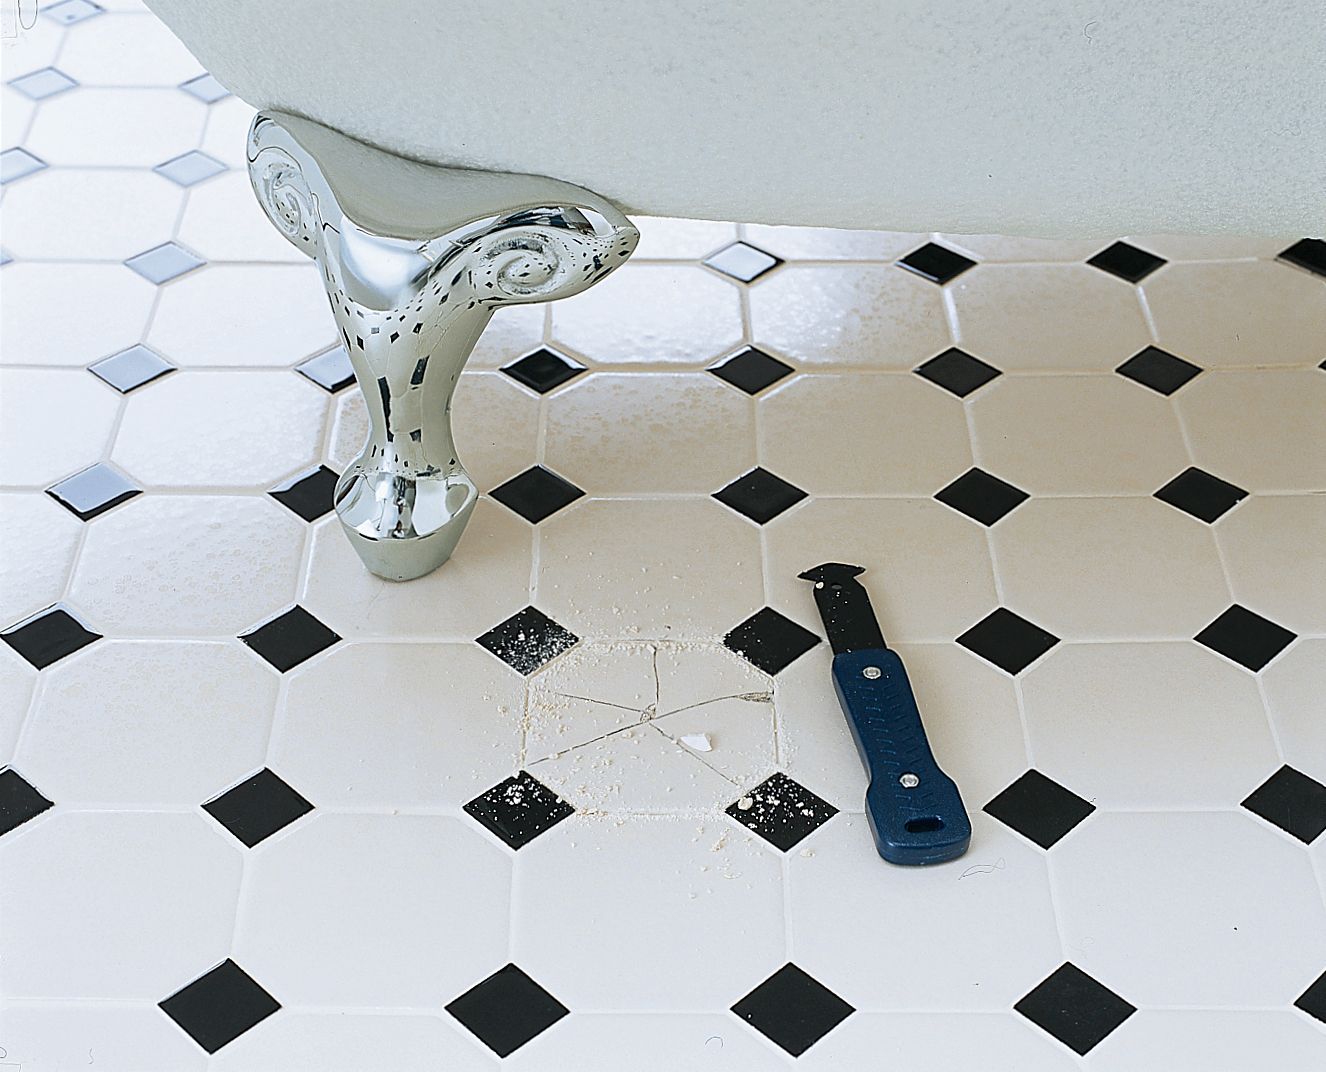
x: 916, y: 811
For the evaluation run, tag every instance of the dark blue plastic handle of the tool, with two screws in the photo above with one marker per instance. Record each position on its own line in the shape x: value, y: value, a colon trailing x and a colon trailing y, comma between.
x: 922, y: 823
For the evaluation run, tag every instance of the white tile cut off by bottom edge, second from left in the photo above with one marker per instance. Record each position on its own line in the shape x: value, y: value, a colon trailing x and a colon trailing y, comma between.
x: 352, y: 1042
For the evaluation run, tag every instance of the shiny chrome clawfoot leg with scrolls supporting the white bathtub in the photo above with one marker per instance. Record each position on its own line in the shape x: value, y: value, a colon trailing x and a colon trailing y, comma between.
x: 416, y: 259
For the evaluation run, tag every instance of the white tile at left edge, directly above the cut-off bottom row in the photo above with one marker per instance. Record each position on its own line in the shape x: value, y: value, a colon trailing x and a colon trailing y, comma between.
x: 145, y: 905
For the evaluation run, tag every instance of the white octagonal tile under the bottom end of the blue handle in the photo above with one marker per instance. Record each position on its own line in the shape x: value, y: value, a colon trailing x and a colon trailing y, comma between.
x: 848, y: 905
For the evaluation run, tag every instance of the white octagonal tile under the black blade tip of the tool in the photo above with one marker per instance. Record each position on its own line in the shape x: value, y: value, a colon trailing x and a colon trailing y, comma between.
x: 928, y: 567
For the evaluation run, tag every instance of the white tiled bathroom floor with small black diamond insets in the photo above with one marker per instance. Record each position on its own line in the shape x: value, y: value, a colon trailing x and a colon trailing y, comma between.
x: 585, y: 797
